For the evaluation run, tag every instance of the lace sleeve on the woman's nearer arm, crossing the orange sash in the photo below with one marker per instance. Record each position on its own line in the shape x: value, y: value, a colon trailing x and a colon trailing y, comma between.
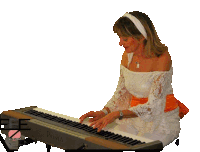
x: 154, y: 108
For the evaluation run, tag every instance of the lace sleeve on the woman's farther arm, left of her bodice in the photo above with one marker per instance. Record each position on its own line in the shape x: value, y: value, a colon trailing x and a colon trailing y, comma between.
x: 121, y: 95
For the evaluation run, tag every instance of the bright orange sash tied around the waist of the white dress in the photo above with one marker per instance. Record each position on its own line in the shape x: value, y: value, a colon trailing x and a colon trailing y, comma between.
x: 171, y: 104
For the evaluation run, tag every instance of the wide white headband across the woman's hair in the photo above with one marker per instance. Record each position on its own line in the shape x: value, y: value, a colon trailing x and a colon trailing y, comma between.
x: 137, y: 23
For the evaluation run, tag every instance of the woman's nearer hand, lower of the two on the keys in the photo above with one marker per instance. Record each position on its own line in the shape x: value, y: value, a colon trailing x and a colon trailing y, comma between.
x: 101, y: 123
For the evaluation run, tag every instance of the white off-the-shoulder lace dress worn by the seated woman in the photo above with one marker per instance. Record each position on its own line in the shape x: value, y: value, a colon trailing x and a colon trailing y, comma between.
x: 154, y: 124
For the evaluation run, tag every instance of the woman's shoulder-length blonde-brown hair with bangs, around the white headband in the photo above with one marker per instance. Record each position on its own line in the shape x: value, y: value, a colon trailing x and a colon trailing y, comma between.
x: 126, y: 28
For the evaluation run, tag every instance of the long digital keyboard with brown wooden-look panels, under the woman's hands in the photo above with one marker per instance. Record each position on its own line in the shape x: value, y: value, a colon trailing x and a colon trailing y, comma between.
x: 67, y: 132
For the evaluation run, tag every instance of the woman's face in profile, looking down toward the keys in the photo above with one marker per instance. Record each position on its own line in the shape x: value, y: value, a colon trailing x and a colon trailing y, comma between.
x: 131, y: 45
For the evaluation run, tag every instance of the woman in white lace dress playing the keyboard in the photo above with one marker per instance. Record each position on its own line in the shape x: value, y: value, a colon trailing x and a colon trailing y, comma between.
x: 144, y: 100
